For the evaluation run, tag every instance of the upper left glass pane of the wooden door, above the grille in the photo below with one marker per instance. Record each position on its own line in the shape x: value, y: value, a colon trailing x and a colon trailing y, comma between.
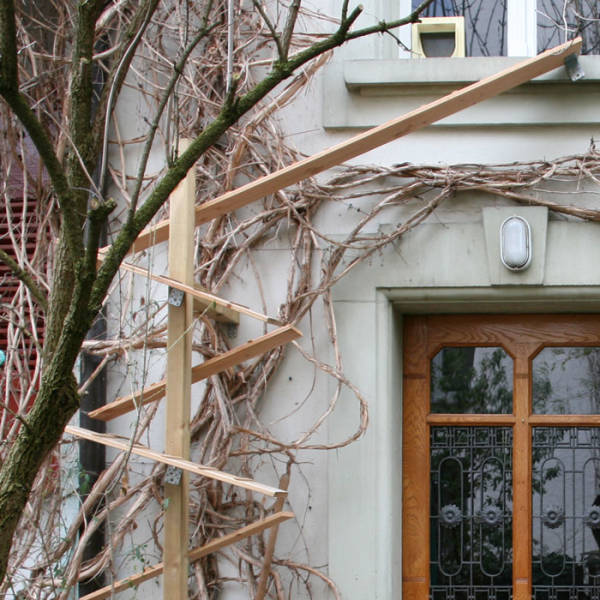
x: 471, y: 380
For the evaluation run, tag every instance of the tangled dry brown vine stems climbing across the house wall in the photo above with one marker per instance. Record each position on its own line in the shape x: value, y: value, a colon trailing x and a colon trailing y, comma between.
x: 227, y: 429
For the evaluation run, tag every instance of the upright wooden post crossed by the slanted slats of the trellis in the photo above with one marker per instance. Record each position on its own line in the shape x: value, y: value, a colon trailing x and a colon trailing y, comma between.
x: 179, y: 366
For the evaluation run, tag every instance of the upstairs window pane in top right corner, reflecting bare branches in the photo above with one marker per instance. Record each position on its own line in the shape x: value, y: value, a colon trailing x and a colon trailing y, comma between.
x: 562, y: 20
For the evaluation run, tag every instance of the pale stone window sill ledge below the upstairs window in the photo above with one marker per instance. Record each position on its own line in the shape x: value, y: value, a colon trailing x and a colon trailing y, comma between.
x: 365, y: 93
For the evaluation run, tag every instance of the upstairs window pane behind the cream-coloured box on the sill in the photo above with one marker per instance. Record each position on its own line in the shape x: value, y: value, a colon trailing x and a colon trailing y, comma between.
x: 485, y: 23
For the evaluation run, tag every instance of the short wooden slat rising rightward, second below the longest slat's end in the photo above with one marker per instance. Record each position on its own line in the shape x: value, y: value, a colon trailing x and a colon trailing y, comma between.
x: 219, y: 363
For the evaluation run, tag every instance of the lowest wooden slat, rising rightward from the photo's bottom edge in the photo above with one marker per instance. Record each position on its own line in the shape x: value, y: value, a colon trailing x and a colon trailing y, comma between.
x: 195, y: 554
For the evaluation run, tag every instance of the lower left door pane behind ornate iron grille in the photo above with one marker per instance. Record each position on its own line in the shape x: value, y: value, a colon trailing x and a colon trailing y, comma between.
x: 471, y: 513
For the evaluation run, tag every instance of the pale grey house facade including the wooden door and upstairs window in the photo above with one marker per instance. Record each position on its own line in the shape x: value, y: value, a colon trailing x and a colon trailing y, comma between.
x: 384, y: 514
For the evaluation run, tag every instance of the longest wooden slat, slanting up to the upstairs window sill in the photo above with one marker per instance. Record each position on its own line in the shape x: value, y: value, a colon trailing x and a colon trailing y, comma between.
x: 373, y: 138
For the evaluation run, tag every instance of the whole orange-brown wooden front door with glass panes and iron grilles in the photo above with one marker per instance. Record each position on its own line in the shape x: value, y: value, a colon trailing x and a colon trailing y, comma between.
x: 501, y: 457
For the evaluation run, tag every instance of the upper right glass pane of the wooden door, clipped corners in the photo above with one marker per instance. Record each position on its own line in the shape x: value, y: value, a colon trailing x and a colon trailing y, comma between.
x: 567, y: 381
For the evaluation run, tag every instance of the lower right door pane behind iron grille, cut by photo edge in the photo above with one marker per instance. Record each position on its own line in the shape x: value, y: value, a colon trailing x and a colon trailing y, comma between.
x: 566, y: 513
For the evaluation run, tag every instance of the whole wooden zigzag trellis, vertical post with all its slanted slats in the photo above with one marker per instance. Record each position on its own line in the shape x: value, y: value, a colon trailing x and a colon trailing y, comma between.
x: 178, y: 230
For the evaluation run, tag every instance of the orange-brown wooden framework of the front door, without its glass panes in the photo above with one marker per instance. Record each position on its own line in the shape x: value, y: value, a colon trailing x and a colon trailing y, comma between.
x: 522, y: 336
